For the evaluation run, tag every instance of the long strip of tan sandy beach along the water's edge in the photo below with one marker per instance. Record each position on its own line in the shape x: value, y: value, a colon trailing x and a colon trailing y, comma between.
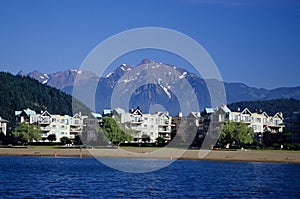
x: 292, y: 157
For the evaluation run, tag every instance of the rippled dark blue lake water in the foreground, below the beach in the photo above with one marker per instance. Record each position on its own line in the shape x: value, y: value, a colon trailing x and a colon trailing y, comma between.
x: 49, y: 177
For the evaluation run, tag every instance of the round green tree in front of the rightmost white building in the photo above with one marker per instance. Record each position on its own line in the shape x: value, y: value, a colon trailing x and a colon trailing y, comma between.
x: 239, y: 133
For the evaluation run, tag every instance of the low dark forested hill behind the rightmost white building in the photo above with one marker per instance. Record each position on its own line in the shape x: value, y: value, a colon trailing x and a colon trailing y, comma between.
x: 271, y: 107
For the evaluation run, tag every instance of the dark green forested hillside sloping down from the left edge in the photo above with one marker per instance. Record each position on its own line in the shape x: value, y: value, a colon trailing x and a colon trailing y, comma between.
x: 18, y: 93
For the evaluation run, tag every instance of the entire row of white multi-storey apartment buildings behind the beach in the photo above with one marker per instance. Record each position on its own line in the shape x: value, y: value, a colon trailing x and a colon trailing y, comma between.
x: 148, y: 127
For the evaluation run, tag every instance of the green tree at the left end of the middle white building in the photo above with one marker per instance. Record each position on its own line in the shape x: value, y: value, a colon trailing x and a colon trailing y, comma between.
x: 113, y: 132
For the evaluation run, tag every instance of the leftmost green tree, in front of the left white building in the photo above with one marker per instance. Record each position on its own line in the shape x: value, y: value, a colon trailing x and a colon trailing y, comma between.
x: 27, y: 133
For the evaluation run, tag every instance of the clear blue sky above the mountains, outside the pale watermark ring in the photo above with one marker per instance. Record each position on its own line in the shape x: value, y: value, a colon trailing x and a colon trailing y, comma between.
x: 256, y: 42
